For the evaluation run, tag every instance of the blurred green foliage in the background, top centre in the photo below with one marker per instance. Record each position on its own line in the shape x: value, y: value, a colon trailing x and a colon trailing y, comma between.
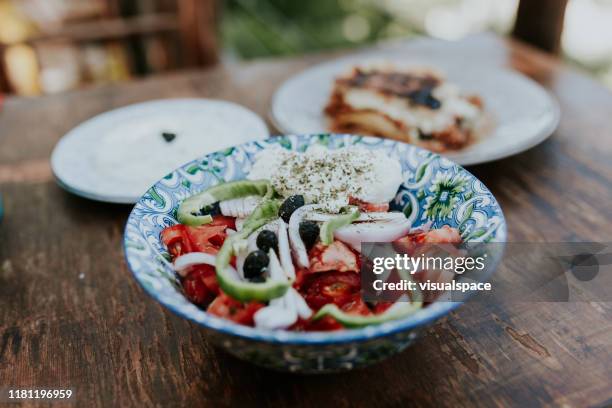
x: 255, y: 28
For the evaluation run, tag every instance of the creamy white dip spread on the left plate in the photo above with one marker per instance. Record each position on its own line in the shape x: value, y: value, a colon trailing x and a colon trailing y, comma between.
x: 132, y: 154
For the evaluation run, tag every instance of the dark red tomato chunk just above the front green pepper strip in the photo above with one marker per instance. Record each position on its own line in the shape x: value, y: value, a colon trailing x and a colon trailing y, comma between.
x: 330, y: 287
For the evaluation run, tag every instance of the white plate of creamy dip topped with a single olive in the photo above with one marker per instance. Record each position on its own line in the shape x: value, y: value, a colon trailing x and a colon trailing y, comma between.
x: 116, y: 156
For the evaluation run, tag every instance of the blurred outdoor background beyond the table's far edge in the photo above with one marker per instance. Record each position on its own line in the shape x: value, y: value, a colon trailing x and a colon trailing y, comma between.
x: 51, y: 46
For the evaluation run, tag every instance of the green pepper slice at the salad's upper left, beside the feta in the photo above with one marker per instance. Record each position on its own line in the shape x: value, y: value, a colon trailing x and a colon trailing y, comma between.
x: 189, y: 211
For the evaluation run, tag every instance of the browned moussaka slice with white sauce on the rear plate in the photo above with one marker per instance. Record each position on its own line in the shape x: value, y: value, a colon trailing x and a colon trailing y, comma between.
x: 413, y: 105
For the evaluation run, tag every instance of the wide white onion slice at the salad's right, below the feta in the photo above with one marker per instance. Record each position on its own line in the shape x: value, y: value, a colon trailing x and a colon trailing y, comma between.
x: 384, y: 231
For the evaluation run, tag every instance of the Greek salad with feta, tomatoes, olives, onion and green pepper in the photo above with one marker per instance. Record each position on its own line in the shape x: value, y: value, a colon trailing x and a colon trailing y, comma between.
x: 280, y: 250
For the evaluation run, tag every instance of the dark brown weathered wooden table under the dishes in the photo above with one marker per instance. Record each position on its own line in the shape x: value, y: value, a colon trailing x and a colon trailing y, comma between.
x: 71, y: 315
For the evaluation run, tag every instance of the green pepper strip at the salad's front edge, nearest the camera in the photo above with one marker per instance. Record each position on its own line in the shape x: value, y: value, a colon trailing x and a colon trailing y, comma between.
x: 356, y: 321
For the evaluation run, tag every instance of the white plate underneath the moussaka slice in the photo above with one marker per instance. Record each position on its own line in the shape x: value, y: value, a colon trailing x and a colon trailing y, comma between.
x: 521, y: 112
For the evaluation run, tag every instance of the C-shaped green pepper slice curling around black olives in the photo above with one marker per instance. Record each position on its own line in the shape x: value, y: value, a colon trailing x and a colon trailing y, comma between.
x: 242, y: 290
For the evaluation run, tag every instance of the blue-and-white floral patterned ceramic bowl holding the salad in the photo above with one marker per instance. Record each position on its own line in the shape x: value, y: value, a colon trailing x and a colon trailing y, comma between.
x: 435, y: 190
